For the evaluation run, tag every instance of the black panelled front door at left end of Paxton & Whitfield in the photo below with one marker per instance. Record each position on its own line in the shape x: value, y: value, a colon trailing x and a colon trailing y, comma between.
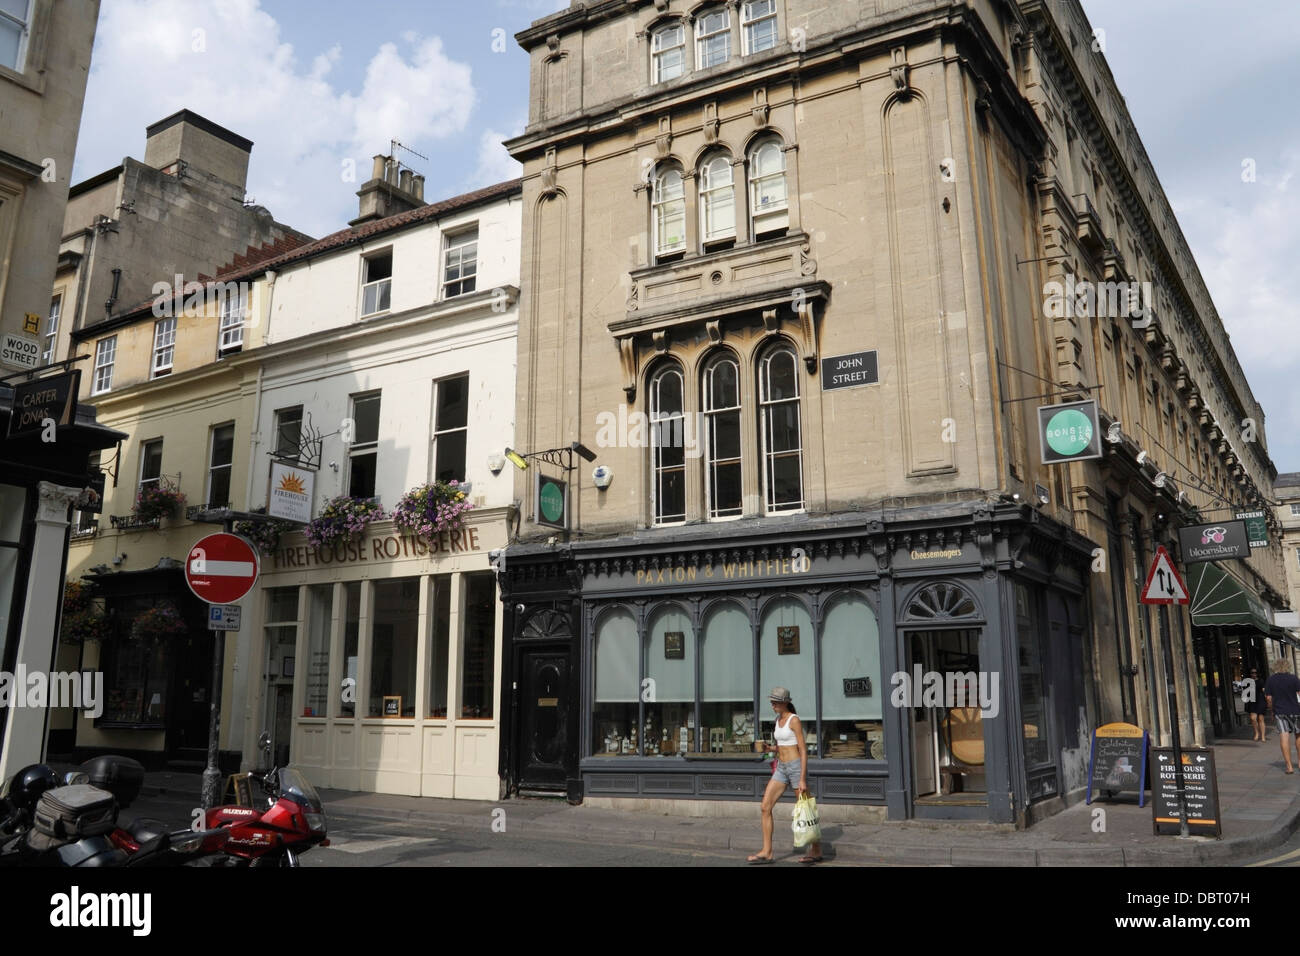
x: 544, y: 728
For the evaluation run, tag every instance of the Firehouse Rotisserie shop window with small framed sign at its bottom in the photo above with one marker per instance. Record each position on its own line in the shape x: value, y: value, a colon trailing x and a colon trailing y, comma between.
x: 393, y: 647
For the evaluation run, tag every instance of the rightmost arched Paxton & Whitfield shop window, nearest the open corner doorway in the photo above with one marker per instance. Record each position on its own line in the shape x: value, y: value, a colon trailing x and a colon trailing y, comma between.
x: 852, y: 695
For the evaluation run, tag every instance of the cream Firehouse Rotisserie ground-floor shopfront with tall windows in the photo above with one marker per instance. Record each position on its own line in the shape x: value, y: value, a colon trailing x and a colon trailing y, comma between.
x: 380, y: 660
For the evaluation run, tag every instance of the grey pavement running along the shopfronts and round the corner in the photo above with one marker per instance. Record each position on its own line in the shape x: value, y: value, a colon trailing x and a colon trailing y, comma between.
x: 1260, y: 811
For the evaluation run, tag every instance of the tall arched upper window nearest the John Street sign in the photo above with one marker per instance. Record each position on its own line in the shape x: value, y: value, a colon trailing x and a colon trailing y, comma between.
x: 781, y: 431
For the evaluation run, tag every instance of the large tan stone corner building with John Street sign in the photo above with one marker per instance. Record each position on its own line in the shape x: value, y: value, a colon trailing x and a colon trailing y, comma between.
x: 792, y: 272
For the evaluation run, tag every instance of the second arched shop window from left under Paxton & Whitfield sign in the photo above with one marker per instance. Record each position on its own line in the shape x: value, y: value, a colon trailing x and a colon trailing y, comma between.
x: 669, y: 687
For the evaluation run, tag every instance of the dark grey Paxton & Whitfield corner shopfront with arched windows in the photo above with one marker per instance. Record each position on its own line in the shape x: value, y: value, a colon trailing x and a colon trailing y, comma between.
x: 642, y: 665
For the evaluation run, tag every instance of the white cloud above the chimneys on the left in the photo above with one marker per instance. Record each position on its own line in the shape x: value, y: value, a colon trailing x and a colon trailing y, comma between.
x: 228, y: 62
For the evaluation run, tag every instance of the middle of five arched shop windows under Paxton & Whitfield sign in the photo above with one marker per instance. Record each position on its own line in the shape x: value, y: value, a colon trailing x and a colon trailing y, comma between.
x: 726, y: 682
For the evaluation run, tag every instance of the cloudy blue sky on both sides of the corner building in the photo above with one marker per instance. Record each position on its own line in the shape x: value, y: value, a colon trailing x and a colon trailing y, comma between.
x: 322, y: 86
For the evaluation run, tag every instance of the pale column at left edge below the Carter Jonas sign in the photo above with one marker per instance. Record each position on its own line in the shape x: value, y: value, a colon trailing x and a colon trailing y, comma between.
x: 25, y: 729
